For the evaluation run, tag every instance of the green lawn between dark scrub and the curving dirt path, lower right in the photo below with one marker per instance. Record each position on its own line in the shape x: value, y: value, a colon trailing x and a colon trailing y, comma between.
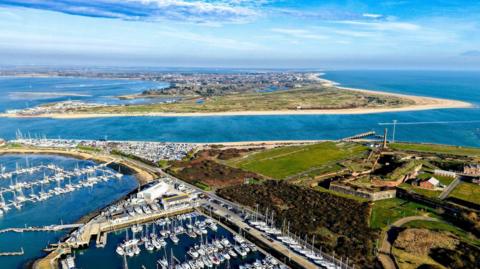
x: 385, y: 212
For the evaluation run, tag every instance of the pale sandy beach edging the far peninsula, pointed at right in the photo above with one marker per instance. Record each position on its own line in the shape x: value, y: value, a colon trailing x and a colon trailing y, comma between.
x: 421, y: 103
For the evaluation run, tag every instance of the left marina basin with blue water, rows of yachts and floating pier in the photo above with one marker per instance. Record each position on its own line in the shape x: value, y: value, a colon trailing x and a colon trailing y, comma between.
x: 37, y: 224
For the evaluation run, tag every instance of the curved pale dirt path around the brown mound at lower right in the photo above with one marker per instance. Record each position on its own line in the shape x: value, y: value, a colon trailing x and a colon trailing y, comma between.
x: 385, y: 251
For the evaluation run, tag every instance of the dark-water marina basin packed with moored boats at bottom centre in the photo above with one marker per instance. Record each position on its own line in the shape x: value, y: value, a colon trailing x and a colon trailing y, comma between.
x: 168, y: 243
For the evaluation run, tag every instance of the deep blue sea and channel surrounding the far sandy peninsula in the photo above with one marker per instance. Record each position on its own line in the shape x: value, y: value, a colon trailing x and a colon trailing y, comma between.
x: 451, y: 126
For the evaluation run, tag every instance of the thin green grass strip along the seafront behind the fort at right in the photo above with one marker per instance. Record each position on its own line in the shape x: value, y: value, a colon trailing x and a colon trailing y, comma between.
x: 432, y: 148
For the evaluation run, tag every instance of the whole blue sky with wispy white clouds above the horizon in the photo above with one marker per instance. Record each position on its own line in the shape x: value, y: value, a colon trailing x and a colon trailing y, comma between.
x: 435, y: 34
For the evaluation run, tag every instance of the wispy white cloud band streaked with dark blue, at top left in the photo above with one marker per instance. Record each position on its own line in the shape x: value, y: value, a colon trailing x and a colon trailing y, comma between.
x: 196, y: 11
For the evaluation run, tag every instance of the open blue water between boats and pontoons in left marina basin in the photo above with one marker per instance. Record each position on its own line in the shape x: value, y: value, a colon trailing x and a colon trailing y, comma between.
x: 66, y: 207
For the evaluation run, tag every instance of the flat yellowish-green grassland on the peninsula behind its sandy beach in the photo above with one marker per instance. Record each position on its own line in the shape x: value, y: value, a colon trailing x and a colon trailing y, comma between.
x: 308, y: 98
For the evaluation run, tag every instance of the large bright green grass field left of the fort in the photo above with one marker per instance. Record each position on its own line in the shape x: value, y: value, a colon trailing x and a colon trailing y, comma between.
x: 280, y: 163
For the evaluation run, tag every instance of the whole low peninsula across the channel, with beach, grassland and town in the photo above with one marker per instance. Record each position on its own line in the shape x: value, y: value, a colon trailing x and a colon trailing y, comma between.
x: 226, y: 94
